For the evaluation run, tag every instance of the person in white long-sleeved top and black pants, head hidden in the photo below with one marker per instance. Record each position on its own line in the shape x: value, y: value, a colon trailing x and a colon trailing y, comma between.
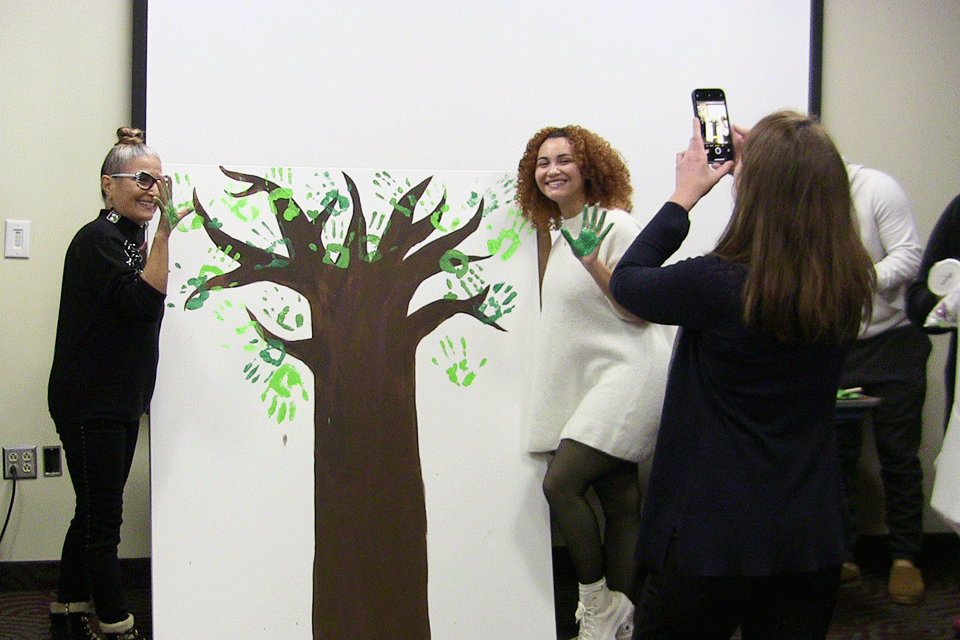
x: 888, y: 360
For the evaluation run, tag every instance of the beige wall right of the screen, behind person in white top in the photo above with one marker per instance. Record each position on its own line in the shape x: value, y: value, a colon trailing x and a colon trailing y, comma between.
x: 891, y: 92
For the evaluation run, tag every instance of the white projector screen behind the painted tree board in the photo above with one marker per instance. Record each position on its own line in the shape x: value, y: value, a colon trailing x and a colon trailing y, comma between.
x: 458, y: 85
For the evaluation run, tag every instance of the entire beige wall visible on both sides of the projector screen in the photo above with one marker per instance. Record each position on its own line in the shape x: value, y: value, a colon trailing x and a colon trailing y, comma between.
x: 891, y: 85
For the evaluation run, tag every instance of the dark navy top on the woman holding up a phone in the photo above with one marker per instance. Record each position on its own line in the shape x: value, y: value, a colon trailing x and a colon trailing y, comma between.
x: 746, y: 475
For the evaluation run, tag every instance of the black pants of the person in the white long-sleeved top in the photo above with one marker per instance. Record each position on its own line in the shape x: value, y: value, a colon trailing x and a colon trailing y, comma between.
x: 893, y: 367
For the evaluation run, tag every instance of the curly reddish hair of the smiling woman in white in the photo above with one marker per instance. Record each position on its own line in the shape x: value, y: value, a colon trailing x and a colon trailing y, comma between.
x: 605, y: 175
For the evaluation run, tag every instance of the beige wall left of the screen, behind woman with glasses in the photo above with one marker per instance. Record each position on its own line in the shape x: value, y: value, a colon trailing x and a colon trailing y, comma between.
x: 64, y: 89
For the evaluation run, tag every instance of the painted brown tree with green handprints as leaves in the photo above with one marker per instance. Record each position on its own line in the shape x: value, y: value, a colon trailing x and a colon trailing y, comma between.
x: 358, y: 281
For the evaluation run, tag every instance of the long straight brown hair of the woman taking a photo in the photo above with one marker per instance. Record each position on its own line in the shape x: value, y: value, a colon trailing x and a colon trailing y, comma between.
x: 808, y: 276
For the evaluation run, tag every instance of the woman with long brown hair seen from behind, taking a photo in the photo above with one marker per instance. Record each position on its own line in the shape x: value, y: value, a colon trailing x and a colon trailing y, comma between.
x: 743, y: 525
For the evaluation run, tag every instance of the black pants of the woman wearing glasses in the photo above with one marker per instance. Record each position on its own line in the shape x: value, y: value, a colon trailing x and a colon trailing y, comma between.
x: 99, y: 454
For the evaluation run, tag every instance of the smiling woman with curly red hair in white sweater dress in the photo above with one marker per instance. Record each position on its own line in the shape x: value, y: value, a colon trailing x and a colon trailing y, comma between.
x: 600, y: 371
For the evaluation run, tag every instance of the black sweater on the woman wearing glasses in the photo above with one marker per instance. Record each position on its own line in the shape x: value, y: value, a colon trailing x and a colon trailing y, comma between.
x: 105, y: 356
